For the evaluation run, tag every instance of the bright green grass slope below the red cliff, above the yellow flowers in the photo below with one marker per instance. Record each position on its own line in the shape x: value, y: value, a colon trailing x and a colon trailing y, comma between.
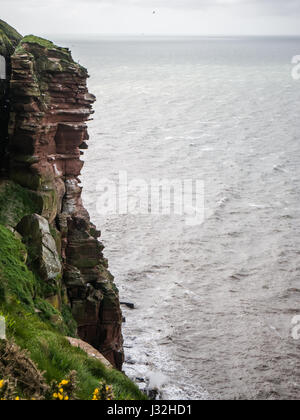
x: 43, y: 337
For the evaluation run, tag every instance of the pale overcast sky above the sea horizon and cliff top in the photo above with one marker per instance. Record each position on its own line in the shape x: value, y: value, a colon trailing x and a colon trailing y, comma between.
x: 191, y: 17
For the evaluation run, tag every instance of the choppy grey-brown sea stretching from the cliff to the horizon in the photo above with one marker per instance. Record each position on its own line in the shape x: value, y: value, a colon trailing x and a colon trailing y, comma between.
x: 214, y: 302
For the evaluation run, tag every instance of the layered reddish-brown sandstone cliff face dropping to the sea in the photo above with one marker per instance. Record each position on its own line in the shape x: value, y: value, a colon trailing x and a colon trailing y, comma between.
x: 49, y: 107
